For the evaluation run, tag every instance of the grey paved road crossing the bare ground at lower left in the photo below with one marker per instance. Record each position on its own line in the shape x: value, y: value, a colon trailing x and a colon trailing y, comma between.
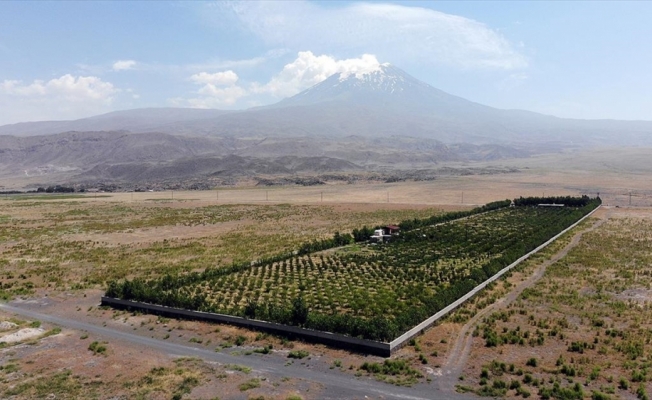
x: 337, y: 385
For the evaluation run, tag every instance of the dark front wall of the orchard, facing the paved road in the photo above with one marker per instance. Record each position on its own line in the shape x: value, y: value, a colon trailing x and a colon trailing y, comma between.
x: 333, y: 339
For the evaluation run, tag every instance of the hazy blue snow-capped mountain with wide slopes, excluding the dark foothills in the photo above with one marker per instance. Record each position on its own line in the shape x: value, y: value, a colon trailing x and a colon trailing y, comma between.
x: 382, y: 101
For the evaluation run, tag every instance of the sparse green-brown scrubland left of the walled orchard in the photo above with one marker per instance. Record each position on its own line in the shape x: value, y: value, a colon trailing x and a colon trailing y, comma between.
x: 61, y: 240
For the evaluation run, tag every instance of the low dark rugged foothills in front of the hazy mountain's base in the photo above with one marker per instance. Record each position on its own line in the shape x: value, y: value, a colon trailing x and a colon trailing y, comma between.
x: 139, y: 156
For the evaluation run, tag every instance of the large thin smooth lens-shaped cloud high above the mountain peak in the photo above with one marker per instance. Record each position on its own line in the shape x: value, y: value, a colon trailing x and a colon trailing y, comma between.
x: 400, y: 34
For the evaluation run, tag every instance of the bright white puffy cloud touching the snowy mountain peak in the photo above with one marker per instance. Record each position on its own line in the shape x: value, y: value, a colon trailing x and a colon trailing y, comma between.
x: 308, y: 70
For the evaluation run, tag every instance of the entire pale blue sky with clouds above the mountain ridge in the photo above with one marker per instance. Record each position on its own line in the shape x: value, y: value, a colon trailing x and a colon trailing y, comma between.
x: 67, y: 60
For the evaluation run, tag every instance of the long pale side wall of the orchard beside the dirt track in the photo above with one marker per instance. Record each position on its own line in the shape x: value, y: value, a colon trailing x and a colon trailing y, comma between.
x: 404, y: 338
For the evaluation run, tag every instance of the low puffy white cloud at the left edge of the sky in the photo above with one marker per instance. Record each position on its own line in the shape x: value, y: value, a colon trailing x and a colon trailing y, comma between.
x: 67, y: 97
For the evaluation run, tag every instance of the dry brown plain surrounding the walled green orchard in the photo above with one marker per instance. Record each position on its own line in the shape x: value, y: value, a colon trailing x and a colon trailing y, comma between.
x: 586, y: 295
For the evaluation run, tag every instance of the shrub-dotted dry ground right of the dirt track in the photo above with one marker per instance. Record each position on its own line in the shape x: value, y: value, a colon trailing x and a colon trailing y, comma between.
x: 587, y: 320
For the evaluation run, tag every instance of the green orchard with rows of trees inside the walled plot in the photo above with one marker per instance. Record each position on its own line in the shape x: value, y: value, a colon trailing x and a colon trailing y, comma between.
x: 374, y: 292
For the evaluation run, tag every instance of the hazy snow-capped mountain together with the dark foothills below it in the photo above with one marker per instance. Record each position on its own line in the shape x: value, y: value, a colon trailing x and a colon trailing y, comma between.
x: 374, y: 118
